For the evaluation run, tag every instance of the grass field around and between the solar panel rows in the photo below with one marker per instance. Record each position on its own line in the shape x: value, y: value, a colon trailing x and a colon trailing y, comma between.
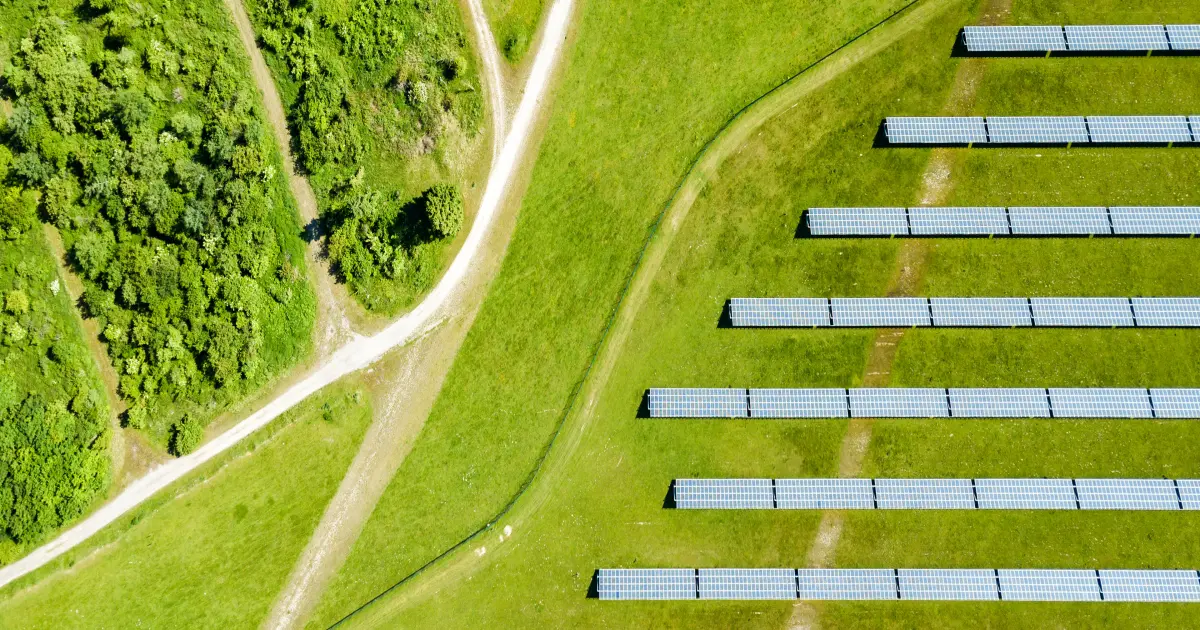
x: 740, y: 241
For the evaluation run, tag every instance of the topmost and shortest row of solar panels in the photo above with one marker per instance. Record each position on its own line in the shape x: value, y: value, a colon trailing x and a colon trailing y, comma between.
x: 1124, y: 38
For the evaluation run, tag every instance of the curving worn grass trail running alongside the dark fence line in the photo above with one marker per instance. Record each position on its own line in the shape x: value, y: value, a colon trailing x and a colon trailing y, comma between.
x: 460, y: 562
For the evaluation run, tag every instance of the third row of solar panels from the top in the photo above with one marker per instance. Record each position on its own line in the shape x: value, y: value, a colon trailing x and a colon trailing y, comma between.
x: 998, y: 221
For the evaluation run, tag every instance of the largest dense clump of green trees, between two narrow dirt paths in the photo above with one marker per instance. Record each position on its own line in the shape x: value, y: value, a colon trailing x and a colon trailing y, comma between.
x: 148, y: 152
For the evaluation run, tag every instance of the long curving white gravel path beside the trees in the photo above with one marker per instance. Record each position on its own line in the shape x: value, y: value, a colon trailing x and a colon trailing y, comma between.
x: 361, y: 352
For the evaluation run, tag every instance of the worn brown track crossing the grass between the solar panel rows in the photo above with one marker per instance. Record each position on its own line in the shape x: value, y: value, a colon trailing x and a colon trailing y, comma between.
x: 937, y: 188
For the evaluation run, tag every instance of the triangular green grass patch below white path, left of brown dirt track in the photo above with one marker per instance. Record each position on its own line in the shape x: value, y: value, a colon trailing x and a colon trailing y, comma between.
x: 219, y: 554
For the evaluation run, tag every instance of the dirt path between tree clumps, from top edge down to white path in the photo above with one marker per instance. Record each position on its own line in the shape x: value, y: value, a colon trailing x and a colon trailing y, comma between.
x: 333, y: 327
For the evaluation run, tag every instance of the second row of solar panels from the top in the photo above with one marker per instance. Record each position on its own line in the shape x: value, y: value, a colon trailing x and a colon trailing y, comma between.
x: 1042, y: 130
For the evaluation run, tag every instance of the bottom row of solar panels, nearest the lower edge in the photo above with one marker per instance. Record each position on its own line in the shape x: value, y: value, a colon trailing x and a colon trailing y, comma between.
x: 1011, y: 585
